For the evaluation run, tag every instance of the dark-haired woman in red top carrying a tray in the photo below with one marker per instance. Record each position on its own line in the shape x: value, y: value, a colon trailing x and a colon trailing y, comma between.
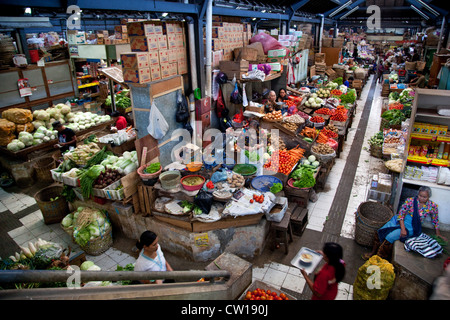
x: 325, y: 284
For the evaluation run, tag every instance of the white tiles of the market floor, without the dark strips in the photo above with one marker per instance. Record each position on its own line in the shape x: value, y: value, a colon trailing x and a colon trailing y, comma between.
x: 275, y: 274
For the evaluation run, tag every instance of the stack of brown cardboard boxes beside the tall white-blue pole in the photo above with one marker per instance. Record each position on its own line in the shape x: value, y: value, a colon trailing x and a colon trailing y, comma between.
x: 158, y: 51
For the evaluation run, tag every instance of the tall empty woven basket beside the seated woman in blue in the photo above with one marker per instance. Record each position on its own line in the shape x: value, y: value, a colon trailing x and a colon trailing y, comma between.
x: 370, y: 217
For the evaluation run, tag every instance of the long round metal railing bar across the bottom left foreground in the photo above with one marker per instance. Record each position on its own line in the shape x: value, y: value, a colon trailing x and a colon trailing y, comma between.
x: 42, y: 276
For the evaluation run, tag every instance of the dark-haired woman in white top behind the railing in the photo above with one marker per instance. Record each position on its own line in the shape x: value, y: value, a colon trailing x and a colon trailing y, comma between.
x: 151, y: 257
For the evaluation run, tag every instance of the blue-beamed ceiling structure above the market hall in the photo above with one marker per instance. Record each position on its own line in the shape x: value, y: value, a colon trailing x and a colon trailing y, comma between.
x: 336, y: 12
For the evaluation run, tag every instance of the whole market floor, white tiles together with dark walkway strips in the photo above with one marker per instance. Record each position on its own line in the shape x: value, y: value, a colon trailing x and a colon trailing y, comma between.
x: 21, y: 221
